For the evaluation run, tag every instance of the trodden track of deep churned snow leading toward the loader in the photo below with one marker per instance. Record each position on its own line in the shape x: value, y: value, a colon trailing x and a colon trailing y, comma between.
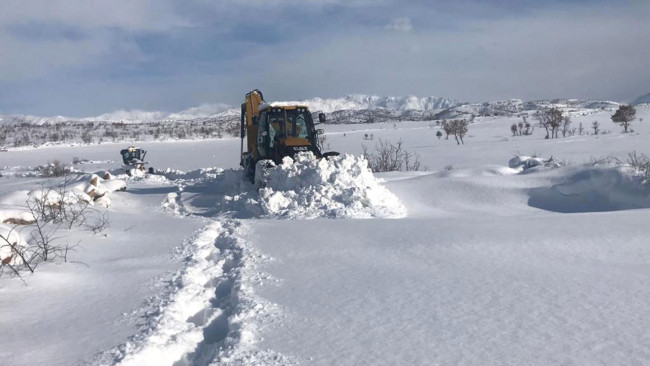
x: 214, y: 314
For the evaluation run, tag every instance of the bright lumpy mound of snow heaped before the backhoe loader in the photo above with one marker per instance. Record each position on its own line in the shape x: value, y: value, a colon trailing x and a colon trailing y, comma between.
x: 338, y: 187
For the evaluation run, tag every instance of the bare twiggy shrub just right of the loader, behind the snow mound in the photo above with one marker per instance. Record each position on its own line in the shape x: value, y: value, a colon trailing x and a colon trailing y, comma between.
x: 389, y: 157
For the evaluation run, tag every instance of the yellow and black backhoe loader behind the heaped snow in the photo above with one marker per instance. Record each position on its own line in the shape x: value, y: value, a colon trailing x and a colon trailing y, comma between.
x: 273, y: 132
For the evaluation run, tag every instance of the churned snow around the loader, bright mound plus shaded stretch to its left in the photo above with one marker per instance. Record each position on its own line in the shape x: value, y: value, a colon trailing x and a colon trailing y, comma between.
x: 340, y: 187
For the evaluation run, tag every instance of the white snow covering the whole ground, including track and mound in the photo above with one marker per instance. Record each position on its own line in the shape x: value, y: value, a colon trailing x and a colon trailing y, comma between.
x: 471, y: 262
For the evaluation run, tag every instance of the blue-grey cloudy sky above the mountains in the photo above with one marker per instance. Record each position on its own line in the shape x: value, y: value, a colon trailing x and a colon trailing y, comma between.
x: 86, y: 57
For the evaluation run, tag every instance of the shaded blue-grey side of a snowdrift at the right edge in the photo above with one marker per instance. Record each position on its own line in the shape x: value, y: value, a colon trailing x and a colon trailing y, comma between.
x: 594, y: 190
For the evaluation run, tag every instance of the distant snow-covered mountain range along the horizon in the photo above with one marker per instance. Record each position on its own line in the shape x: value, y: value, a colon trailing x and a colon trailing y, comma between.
x: 355, y: 108
